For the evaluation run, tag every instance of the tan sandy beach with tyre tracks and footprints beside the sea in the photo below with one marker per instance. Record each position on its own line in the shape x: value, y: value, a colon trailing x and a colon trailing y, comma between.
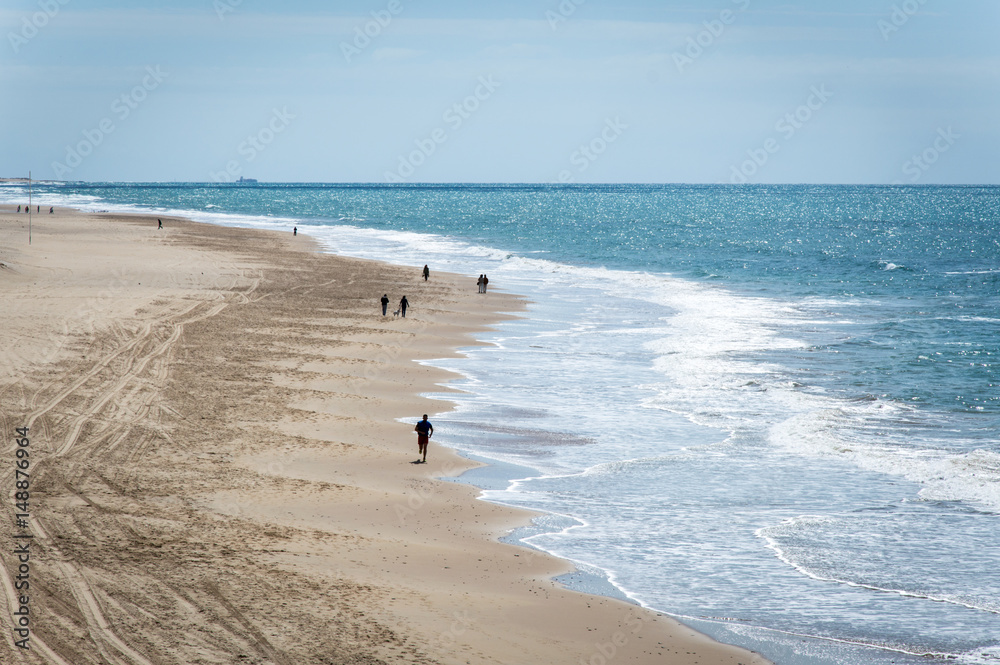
x: 218, y: 473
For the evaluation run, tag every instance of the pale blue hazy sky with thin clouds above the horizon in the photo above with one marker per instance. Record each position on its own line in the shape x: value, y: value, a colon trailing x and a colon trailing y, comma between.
x: 584, y: 91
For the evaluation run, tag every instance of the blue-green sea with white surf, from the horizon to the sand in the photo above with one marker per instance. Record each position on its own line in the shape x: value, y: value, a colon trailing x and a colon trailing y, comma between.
x: 771, y: 412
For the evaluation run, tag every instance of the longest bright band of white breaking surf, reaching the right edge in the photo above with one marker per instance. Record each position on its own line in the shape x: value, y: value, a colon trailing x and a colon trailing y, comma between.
x: 704, y: 350
